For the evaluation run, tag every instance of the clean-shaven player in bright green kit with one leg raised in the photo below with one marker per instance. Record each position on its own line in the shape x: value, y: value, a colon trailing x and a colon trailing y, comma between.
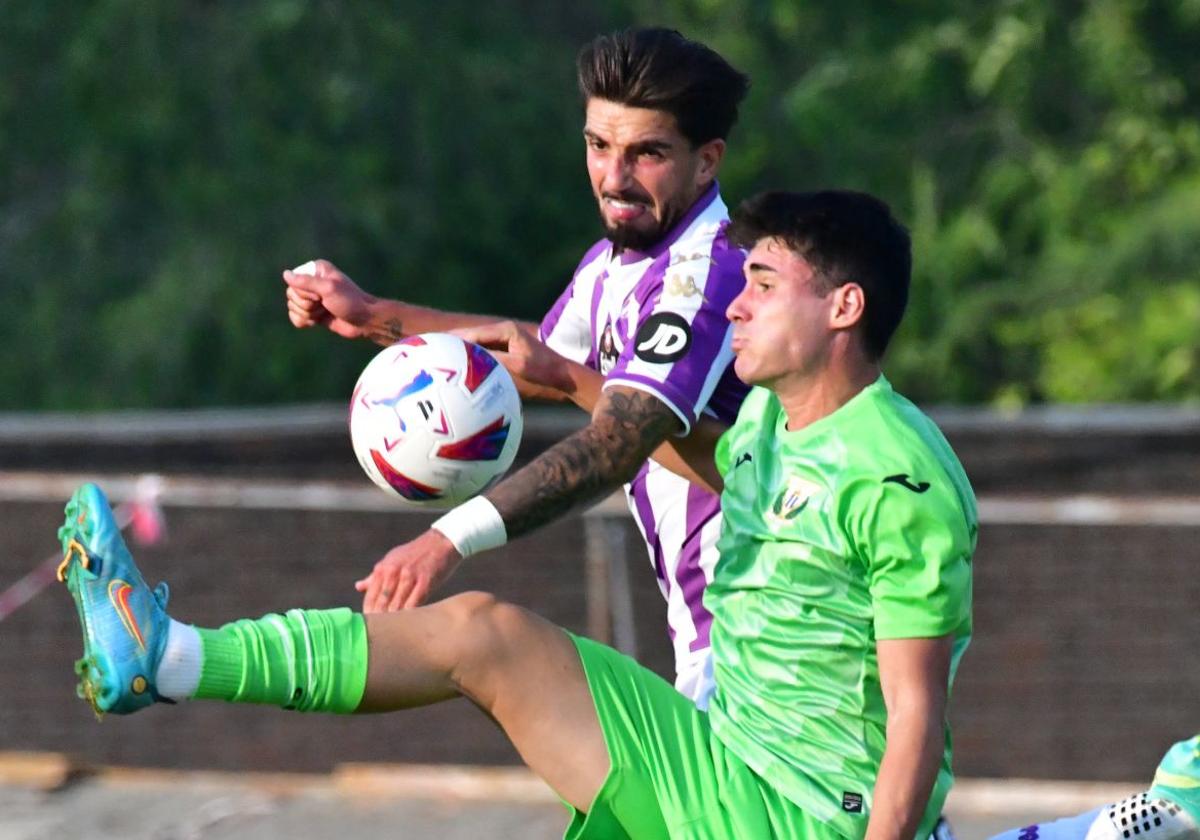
x: 841, y: 601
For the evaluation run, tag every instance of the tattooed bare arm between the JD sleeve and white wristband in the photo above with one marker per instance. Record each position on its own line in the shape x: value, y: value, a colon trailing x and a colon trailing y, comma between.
x: 627, y: 428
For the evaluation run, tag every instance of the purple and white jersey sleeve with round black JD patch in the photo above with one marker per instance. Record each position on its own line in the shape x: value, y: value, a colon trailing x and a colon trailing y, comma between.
x: 681, y: 345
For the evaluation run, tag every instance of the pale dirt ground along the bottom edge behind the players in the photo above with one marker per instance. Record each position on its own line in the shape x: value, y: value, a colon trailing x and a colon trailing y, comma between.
x: 400, y: 803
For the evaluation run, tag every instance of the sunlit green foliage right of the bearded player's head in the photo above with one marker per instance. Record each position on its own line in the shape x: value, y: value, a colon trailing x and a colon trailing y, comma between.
x: 1046, y: 157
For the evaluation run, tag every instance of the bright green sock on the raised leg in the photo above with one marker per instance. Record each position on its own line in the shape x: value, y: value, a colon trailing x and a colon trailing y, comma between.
x: 309, y: 661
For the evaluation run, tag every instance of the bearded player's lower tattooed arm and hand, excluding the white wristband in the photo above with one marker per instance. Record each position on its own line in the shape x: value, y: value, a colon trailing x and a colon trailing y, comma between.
x: 626, y: 428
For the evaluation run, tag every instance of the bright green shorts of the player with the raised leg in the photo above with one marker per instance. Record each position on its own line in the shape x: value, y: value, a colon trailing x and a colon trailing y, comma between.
x: 670, y: 777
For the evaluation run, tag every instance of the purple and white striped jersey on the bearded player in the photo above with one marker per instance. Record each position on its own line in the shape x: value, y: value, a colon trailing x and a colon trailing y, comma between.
x: 656, y: 321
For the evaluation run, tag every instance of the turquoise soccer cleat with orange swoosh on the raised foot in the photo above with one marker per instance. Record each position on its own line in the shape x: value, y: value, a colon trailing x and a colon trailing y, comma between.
x: 124, y: 621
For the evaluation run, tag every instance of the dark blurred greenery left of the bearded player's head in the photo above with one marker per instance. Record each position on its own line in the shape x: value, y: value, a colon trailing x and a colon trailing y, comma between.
x: 166, y: 161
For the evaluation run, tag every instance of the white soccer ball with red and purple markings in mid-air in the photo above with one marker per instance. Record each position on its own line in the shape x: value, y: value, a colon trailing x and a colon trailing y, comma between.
x: 435, y: 421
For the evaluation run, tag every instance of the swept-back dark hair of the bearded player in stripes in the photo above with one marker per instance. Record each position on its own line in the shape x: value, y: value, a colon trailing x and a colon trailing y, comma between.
x: 662, y: 70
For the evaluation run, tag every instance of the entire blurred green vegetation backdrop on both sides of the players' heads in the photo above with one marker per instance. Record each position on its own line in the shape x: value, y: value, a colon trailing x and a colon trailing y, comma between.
x: 164, y: 160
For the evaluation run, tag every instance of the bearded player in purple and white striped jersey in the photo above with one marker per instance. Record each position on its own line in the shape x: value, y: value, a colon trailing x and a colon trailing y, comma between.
x: 644, y: 317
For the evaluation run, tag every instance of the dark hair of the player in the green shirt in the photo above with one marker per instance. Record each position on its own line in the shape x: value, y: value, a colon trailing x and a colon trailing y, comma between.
x: 847, y: 238
